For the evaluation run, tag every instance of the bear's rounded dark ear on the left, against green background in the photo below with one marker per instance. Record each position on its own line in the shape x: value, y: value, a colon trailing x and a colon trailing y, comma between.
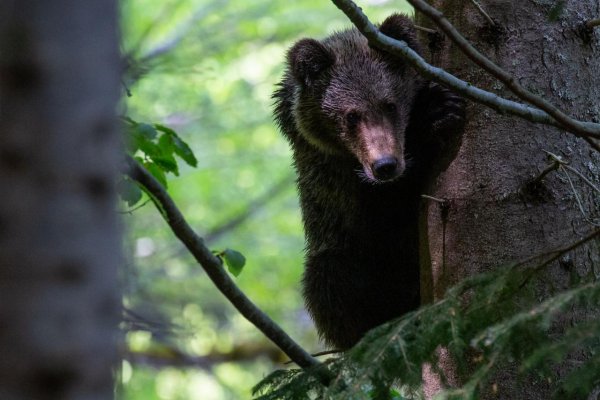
x: 308, y: 58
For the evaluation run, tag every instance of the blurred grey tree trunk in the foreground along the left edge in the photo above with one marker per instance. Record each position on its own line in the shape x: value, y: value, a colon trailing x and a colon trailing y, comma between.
x: 59, y: 235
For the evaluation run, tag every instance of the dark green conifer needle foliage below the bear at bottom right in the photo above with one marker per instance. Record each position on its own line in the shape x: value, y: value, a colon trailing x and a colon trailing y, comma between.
x: 487, y: 323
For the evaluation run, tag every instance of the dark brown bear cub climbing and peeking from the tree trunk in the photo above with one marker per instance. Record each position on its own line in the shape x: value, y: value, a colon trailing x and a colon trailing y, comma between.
x: 365, y: 130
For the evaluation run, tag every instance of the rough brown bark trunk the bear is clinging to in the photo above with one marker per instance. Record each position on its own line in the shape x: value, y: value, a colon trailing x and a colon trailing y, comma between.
x: 488, y: 222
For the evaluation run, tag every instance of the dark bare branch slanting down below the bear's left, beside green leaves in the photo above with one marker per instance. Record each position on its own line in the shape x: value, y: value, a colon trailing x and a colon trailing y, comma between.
x: 214, y: 269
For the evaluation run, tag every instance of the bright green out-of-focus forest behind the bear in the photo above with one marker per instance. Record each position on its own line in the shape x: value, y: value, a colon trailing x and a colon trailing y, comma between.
x: 207, y: 70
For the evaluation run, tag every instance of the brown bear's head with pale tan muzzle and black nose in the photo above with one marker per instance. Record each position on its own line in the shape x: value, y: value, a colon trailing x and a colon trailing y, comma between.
x: 354, y: 100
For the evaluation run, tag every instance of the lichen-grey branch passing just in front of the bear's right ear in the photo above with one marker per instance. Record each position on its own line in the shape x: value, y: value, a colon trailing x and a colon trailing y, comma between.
x: 492, y: 100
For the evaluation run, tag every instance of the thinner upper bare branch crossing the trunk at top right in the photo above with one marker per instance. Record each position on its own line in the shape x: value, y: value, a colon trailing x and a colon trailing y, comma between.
x: 579, y: 128
